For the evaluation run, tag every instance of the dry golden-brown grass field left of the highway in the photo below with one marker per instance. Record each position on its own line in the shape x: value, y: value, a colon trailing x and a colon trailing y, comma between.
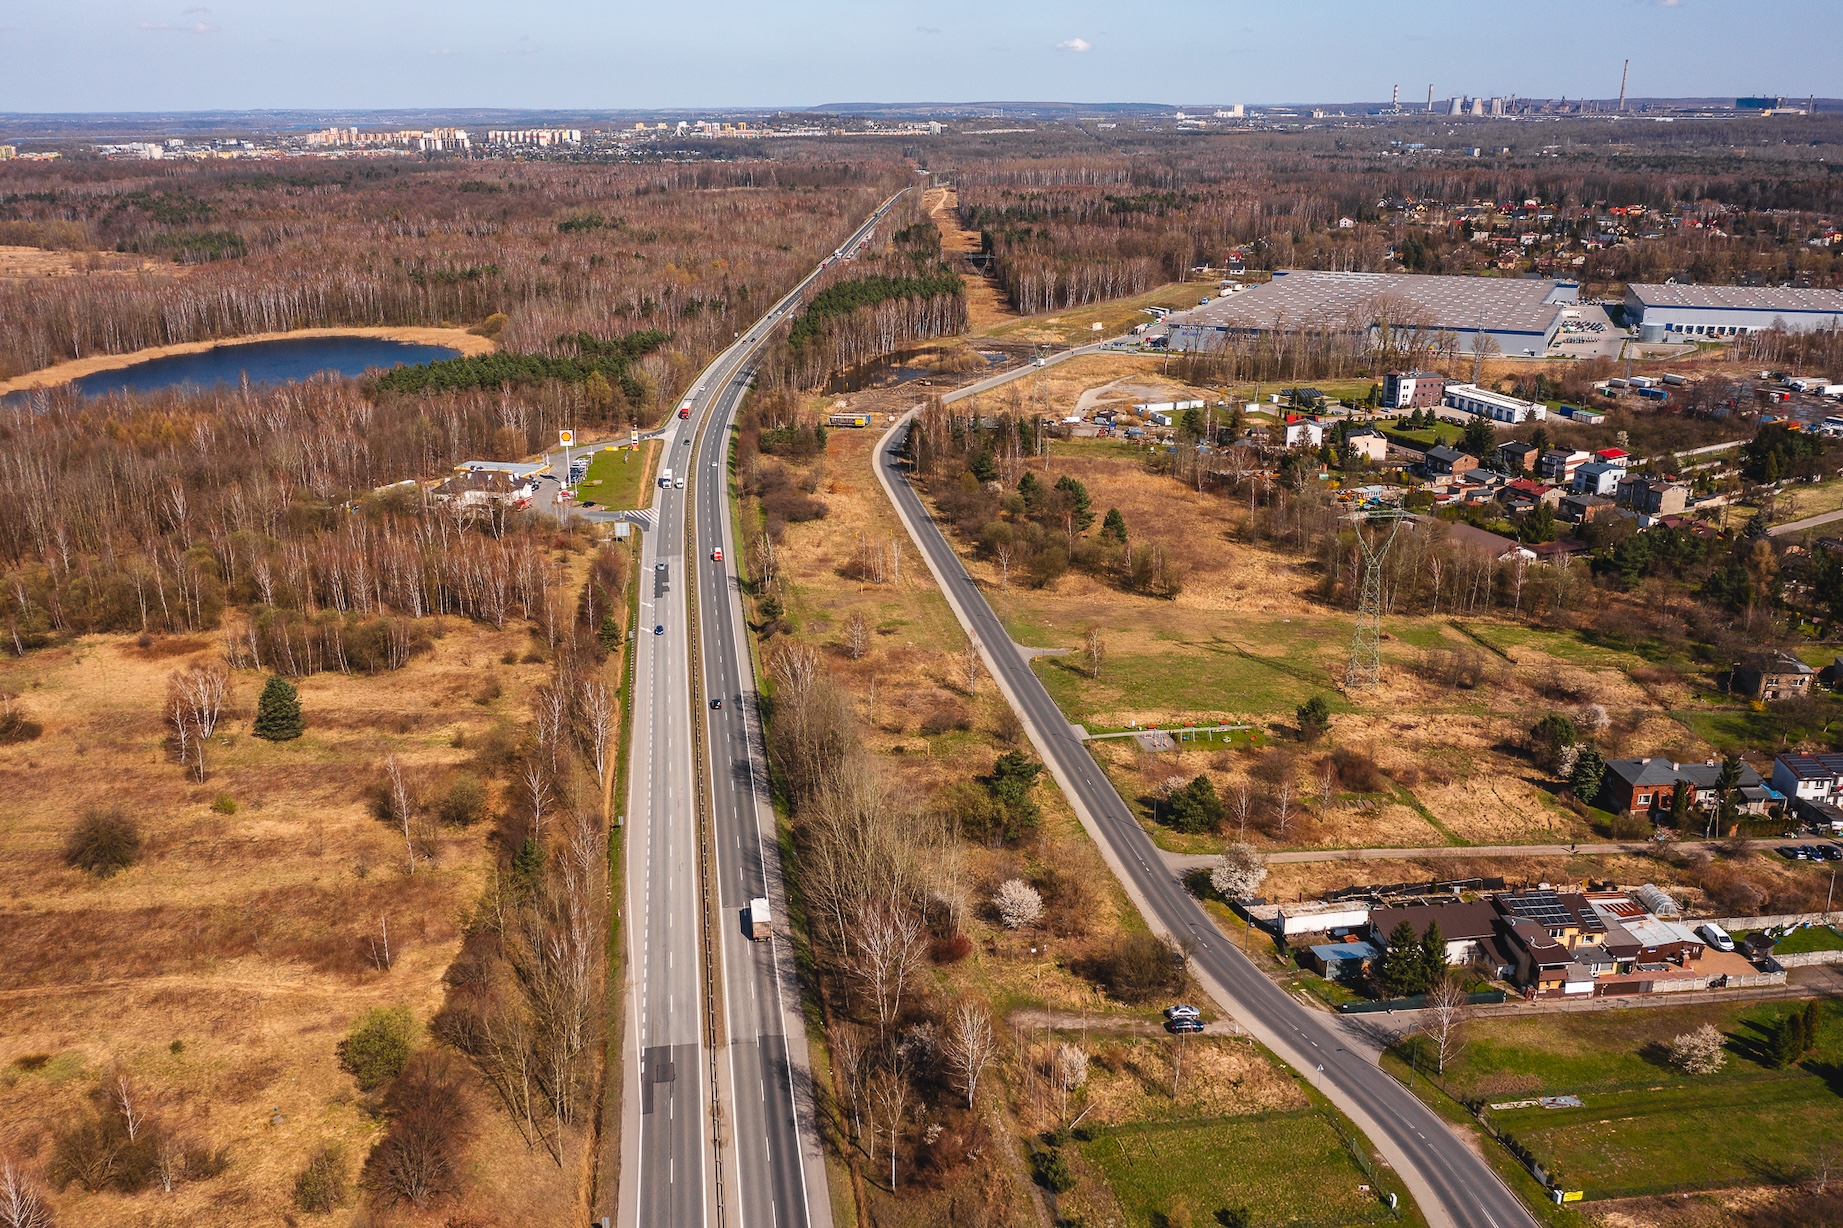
x: 220, y: 973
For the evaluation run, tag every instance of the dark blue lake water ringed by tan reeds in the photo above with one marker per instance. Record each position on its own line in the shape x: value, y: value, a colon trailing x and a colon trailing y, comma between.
x: 264, y: 362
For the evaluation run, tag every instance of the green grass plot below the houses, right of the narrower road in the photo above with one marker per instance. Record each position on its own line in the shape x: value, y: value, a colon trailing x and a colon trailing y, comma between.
x: 1647, y: 1128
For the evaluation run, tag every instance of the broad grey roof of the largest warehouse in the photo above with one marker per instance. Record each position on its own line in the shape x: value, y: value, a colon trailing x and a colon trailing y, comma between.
x: 1350, y: 300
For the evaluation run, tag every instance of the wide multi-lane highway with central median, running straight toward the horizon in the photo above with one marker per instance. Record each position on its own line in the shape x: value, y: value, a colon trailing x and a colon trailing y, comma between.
x: 753, y: 1159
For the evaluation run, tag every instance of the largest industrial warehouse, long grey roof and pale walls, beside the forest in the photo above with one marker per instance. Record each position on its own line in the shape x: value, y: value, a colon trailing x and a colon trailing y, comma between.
x: 1520, y: 316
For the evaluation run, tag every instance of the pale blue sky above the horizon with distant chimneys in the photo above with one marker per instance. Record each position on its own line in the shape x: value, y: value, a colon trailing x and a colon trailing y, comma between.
x: 709, y: 54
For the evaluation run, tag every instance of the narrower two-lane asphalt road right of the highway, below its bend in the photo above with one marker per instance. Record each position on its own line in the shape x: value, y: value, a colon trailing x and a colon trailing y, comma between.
x: 1448, y: 1179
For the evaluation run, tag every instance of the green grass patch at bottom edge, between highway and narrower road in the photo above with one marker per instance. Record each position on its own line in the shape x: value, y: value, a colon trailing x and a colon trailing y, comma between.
x: 1287, y: 1168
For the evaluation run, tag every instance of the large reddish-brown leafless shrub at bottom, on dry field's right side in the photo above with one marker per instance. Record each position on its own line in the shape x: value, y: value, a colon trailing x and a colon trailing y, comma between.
x: 419, y: 1157
